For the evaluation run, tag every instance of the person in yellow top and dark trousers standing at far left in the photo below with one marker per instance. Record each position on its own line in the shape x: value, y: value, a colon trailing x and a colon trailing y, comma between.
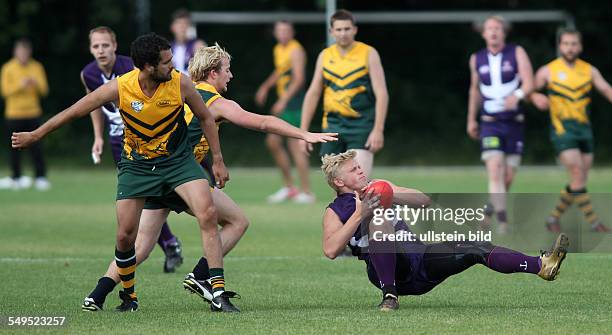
x: 23, y: 82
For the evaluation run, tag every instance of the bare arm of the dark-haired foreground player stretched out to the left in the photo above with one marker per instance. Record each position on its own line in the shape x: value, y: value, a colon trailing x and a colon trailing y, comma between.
x: 105, y: 93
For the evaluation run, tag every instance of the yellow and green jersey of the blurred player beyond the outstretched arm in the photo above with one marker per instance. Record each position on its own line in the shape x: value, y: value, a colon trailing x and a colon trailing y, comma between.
x: 283, y: 68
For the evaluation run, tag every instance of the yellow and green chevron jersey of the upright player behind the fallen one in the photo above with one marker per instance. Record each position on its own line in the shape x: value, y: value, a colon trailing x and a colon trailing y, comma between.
x: 348, y: 94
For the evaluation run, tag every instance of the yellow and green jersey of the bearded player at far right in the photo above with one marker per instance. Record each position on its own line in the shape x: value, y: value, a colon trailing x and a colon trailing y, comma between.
x: 569, y: 92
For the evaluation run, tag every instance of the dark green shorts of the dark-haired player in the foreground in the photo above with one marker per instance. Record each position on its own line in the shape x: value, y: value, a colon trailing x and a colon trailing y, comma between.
x: 138, y: 180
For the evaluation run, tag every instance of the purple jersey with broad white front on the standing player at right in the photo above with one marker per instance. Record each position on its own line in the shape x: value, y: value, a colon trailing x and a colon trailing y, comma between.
x: 499, y: 77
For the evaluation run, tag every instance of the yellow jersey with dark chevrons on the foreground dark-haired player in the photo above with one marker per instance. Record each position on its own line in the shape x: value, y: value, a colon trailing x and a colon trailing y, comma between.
x: 155, y: 128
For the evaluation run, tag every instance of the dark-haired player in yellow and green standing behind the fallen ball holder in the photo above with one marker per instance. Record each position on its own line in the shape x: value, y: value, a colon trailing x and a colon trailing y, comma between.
x: 355, y: 98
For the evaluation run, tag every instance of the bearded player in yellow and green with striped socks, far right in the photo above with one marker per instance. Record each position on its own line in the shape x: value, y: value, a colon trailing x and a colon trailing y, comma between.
x: 569, y: 81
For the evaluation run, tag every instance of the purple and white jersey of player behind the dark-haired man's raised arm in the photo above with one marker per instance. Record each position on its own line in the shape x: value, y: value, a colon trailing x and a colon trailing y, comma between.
x: 94, y: 78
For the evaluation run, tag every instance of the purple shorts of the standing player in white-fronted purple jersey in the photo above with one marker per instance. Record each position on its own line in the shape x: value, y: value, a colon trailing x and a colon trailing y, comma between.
x: 504, y: 136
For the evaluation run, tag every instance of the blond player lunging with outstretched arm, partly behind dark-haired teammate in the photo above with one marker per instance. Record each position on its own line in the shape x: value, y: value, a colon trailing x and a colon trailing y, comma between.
x: 210, y: 68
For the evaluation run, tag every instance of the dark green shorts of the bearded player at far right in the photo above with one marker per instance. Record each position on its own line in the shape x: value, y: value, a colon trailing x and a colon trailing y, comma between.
x: 576, y: 136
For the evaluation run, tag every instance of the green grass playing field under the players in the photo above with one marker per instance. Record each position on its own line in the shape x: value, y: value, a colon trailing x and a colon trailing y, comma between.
x: 55, y: 245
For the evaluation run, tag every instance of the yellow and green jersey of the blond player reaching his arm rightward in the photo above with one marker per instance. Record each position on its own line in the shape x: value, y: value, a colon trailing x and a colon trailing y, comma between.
x: 196, y: 137
